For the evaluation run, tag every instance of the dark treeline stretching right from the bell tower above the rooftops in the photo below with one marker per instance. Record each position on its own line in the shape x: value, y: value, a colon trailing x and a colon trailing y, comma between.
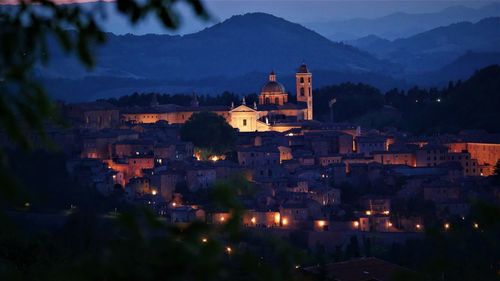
x: 471, y: 104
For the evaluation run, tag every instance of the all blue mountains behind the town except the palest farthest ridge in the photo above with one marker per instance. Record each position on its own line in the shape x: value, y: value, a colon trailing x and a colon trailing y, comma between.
x: 237, y: 54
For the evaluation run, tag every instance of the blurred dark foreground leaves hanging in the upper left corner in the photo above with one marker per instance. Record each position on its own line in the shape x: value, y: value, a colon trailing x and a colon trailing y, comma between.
x: 29, y: 33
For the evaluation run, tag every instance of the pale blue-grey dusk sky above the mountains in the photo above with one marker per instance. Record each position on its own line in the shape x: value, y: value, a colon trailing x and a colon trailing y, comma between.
x: 297, y: 11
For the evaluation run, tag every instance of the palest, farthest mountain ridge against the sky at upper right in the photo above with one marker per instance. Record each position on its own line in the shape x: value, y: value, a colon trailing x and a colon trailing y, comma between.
x: 400, y: 25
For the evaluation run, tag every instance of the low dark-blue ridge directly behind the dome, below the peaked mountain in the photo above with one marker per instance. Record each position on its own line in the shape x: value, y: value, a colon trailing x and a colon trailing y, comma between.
x: 96, y: 87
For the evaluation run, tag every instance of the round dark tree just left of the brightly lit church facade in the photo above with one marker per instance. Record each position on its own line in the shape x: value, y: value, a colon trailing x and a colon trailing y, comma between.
x: 210, y: 132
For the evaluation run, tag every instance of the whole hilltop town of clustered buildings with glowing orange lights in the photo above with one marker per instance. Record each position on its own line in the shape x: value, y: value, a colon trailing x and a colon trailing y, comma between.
x: 331, y: 181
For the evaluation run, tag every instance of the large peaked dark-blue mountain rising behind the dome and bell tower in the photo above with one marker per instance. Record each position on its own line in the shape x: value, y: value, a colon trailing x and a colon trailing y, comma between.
x: 242, y: 44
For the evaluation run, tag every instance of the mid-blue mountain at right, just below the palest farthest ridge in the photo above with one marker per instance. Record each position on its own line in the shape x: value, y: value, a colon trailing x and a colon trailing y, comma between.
x: 431, y: 50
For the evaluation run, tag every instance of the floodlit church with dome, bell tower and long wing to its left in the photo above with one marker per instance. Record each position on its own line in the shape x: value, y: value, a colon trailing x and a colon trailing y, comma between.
x: 272, y: 113
